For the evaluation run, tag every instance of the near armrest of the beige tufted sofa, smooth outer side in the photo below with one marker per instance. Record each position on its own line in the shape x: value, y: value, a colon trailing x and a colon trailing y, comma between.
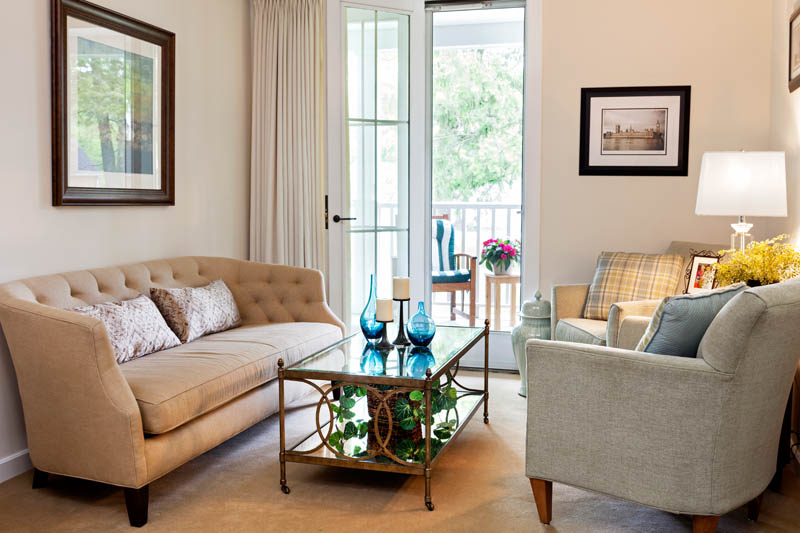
x: 81, y: 417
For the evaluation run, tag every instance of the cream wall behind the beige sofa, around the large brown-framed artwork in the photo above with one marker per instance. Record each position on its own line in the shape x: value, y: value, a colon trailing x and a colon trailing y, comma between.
x: 212, y: 147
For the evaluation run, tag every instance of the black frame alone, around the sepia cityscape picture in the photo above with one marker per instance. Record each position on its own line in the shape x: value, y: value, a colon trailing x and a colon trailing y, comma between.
x: 684, y: 92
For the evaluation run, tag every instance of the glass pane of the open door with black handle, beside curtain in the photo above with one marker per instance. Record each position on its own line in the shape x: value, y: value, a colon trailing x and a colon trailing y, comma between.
x: 376, y: 69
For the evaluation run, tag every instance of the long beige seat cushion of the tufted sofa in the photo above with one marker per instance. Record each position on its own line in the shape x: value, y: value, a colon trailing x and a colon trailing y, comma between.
x: 177, y: 385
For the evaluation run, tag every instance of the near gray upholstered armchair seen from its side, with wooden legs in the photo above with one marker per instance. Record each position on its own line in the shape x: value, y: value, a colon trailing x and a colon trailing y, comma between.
x: 694, y: 436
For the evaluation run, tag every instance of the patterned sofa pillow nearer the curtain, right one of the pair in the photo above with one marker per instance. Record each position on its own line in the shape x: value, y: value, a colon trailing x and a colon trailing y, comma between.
x: 194, y: 312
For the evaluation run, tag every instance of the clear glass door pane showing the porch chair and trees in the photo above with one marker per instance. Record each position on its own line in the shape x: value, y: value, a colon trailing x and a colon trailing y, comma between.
x: 478, y: 63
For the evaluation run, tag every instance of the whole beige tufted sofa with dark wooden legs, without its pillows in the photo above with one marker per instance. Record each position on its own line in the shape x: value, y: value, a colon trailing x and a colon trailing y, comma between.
x: 127, y: 425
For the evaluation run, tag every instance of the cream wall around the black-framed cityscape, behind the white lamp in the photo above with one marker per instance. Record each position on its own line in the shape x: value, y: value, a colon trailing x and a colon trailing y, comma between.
x: 719, y: 47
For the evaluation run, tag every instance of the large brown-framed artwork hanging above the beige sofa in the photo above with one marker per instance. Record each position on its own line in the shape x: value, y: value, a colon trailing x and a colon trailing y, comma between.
x: 113, y: 108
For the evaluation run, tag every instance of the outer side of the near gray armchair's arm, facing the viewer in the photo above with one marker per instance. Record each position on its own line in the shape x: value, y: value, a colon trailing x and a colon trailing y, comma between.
x: 641, y: 427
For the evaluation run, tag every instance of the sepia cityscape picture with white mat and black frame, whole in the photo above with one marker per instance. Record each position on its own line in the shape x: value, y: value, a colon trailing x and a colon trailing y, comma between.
x: 634, y: 131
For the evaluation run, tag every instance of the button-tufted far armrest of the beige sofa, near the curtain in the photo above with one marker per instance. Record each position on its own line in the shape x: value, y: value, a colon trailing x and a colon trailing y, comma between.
x: 280, y: 293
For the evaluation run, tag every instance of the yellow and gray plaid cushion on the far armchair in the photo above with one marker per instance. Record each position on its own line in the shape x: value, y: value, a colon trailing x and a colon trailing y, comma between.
x: 625, y: 277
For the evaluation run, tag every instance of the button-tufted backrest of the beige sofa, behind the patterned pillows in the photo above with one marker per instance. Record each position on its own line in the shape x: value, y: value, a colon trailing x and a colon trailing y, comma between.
x: 263, y: 293
